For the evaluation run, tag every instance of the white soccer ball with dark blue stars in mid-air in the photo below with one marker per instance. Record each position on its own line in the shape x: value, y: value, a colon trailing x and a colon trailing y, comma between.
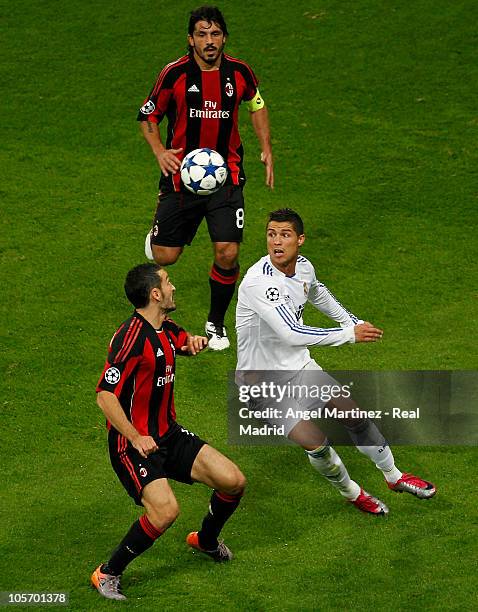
x: 203, y: 171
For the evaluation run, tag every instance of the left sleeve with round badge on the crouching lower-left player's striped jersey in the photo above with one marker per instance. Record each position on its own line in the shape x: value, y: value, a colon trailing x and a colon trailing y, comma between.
x: 124, y: 355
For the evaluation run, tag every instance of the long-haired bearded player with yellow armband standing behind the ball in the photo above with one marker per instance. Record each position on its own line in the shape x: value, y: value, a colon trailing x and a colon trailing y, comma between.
x: 200, y: 94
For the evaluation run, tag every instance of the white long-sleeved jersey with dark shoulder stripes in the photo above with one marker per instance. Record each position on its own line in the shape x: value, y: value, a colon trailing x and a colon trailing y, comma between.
x: 271, y: 334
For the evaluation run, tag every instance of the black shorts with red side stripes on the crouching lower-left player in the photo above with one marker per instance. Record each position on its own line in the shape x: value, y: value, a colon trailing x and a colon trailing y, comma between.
x: 174, y: 459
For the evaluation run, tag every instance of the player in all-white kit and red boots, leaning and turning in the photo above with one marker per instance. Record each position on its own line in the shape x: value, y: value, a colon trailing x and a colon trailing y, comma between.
x: 271, y: 336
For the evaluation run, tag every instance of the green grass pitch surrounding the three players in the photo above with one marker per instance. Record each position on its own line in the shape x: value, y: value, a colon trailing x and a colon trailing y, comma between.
x: 373, y: 112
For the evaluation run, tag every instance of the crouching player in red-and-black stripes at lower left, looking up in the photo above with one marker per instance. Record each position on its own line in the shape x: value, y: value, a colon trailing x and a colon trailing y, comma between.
x: 146, y: 444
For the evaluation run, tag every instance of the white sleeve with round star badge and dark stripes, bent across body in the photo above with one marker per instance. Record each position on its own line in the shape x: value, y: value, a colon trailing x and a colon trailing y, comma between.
x: 268, y: 301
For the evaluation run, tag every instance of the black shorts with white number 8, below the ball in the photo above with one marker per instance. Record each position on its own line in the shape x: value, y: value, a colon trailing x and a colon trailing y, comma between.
x: 179, y: 215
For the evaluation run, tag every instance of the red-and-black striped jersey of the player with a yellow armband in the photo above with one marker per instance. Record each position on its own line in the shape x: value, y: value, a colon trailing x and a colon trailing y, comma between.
x: 202, y: 110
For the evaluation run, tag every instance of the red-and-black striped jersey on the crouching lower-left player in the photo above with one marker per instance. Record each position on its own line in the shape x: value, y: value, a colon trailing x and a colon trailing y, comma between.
x: 140, y: 371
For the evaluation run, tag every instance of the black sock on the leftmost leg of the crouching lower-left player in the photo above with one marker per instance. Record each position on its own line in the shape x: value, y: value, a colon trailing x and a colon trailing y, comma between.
x: 140, y: 537
